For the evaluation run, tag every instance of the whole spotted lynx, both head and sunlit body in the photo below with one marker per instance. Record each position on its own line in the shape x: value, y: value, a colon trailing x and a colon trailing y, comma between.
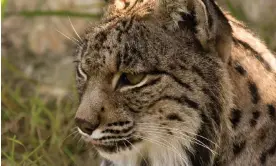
x: 176, y: 83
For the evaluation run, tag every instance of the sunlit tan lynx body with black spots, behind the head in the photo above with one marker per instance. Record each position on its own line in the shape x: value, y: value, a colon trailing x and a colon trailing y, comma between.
x: 259, y: 68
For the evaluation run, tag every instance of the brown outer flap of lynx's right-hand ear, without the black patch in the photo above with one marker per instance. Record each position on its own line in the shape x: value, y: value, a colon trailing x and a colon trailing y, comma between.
x: 214, y: 30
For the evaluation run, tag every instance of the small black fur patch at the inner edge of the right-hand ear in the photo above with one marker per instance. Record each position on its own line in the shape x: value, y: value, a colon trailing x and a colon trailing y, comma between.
x: 188, y: 21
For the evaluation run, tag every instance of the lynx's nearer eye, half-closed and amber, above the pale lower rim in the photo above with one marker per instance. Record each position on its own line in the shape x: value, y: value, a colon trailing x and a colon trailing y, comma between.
x: 130, y: 79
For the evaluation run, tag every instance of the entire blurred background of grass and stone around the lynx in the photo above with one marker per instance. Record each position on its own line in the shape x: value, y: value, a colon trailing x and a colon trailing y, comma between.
x: 38, y: 94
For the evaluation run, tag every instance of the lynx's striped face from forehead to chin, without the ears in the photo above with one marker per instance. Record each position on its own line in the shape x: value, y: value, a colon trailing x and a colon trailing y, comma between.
x: 141, y: 91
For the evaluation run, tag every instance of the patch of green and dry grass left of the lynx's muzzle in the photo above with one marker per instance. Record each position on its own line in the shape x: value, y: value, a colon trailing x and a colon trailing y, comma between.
x: 36, y: 130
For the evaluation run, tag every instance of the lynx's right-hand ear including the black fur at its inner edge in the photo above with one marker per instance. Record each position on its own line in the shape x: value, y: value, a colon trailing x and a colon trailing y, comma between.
x: 207, y: 21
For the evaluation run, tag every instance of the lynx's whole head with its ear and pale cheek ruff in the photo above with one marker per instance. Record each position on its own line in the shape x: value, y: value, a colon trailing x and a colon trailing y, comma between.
x: 152, y: 83
